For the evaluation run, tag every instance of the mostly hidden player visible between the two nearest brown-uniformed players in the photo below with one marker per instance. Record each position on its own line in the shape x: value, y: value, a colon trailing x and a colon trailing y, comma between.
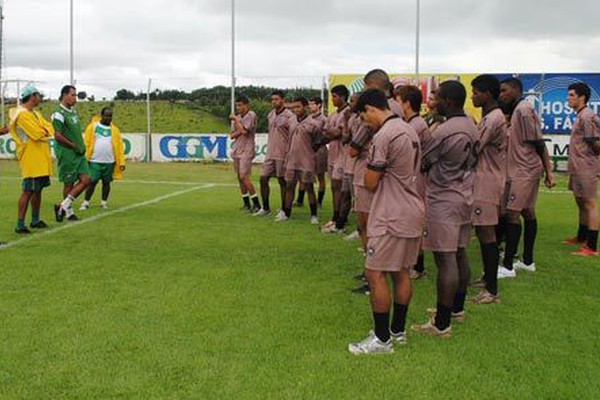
x: 411, y: 99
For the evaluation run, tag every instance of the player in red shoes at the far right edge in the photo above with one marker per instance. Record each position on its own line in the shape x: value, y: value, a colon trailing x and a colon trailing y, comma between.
x: 584, y: 168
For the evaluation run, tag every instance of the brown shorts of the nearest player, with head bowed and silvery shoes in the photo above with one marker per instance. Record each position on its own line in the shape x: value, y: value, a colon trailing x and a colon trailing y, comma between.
x: 390, y: 253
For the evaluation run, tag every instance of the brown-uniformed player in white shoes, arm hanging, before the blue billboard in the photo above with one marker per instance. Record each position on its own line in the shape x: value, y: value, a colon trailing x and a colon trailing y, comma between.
x: 526, y: 159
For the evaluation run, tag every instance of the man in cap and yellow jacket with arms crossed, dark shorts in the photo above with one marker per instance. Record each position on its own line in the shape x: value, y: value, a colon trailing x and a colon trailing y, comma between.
x: 32, y: 134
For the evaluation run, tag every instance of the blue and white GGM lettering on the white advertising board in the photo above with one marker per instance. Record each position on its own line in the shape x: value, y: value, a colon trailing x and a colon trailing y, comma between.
x: 193, y: 147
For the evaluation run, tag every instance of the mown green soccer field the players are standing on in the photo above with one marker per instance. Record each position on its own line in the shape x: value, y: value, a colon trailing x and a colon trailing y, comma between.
x: 186, y: 297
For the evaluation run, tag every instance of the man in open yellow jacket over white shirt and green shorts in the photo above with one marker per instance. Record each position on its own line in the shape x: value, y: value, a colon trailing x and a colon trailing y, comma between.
x: 106, y: 155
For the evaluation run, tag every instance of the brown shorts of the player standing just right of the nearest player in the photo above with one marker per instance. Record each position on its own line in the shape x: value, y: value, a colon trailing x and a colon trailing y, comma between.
x: 446, y: 237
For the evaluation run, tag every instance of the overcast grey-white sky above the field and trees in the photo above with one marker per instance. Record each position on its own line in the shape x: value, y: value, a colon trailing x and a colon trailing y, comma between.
x: 186, y: 44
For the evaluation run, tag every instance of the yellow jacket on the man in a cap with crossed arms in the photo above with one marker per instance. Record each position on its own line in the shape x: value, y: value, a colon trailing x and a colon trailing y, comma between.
x: 32, y: 134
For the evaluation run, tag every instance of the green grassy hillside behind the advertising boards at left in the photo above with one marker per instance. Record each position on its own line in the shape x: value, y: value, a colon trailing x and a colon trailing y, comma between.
x: 166, y: 117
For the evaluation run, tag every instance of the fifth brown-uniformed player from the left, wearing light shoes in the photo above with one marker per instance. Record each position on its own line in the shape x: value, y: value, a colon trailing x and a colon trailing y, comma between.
x: 333, y: 133
